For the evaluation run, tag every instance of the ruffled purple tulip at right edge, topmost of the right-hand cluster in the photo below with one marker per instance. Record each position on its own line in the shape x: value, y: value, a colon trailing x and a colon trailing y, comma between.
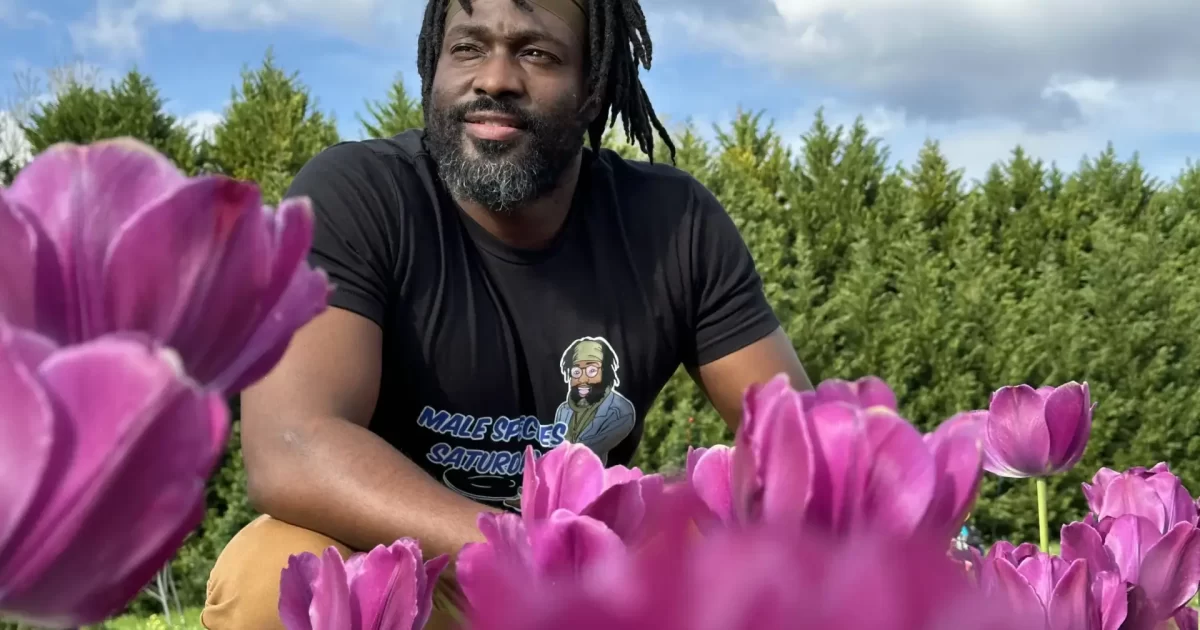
x: 1155, y: 494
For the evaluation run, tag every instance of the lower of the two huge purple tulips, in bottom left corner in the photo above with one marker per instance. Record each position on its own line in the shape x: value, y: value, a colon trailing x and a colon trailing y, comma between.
x: 105, y: 451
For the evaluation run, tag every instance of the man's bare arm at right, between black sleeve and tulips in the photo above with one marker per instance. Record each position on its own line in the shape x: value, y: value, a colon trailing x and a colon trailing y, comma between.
x: 727, y: 380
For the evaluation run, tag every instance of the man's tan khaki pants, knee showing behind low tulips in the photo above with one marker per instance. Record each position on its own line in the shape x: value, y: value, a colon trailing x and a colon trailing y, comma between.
x: 244, y: 589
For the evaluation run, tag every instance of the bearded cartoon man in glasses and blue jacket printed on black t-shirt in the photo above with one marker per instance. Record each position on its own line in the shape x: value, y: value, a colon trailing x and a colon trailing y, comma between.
x: 595, y: 412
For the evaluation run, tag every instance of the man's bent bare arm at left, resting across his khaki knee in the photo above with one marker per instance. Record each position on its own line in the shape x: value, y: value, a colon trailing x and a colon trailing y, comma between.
x: 313, y: 463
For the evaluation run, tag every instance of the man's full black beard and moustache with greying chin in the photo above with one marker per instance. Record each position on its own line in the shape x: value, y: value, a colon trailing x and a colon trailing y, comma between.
x: 503, y: 176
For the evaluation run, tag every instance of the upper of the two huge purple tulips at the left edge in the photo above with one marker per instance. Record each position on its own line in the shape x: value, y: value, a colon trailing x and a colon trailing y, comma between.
x: 112, y: 237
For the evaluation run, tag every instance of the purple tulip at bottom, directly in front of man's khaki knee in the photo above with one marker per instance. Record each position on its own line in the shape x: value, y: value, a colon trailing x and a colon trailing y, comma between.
x: 389, y: 589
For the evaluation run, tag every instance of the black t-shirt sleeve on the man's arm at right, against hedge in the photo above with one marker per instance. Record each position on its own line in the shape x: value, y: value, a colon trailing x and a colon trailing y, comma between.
x: 730, y: 310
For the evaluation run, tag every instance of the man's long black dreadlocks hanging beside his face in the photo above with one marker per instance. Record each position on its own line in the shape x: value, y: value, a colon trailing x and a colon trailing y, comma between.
x: 619, y: 43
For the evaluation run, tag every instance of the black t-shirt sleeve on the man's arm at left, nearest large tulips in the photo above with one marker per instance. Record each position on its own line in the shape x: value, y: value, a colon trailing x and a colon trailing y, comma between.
x: 355, y: 227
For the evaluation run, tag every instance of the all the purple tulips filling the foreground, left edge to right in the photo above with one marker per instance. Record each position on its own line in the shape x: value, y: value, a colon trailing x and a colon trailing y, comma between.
x: 134, y: 301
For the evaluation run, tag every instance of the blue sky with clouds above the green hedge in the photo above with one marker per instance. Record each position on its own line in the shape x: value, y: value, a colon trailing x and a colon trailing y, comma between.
x: 1060, y: 77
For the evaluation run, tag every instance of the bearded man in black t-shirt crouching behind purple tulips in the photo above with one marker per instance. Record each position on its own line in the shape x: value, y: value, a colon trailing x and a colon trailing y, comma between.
x: 479, y: 265
